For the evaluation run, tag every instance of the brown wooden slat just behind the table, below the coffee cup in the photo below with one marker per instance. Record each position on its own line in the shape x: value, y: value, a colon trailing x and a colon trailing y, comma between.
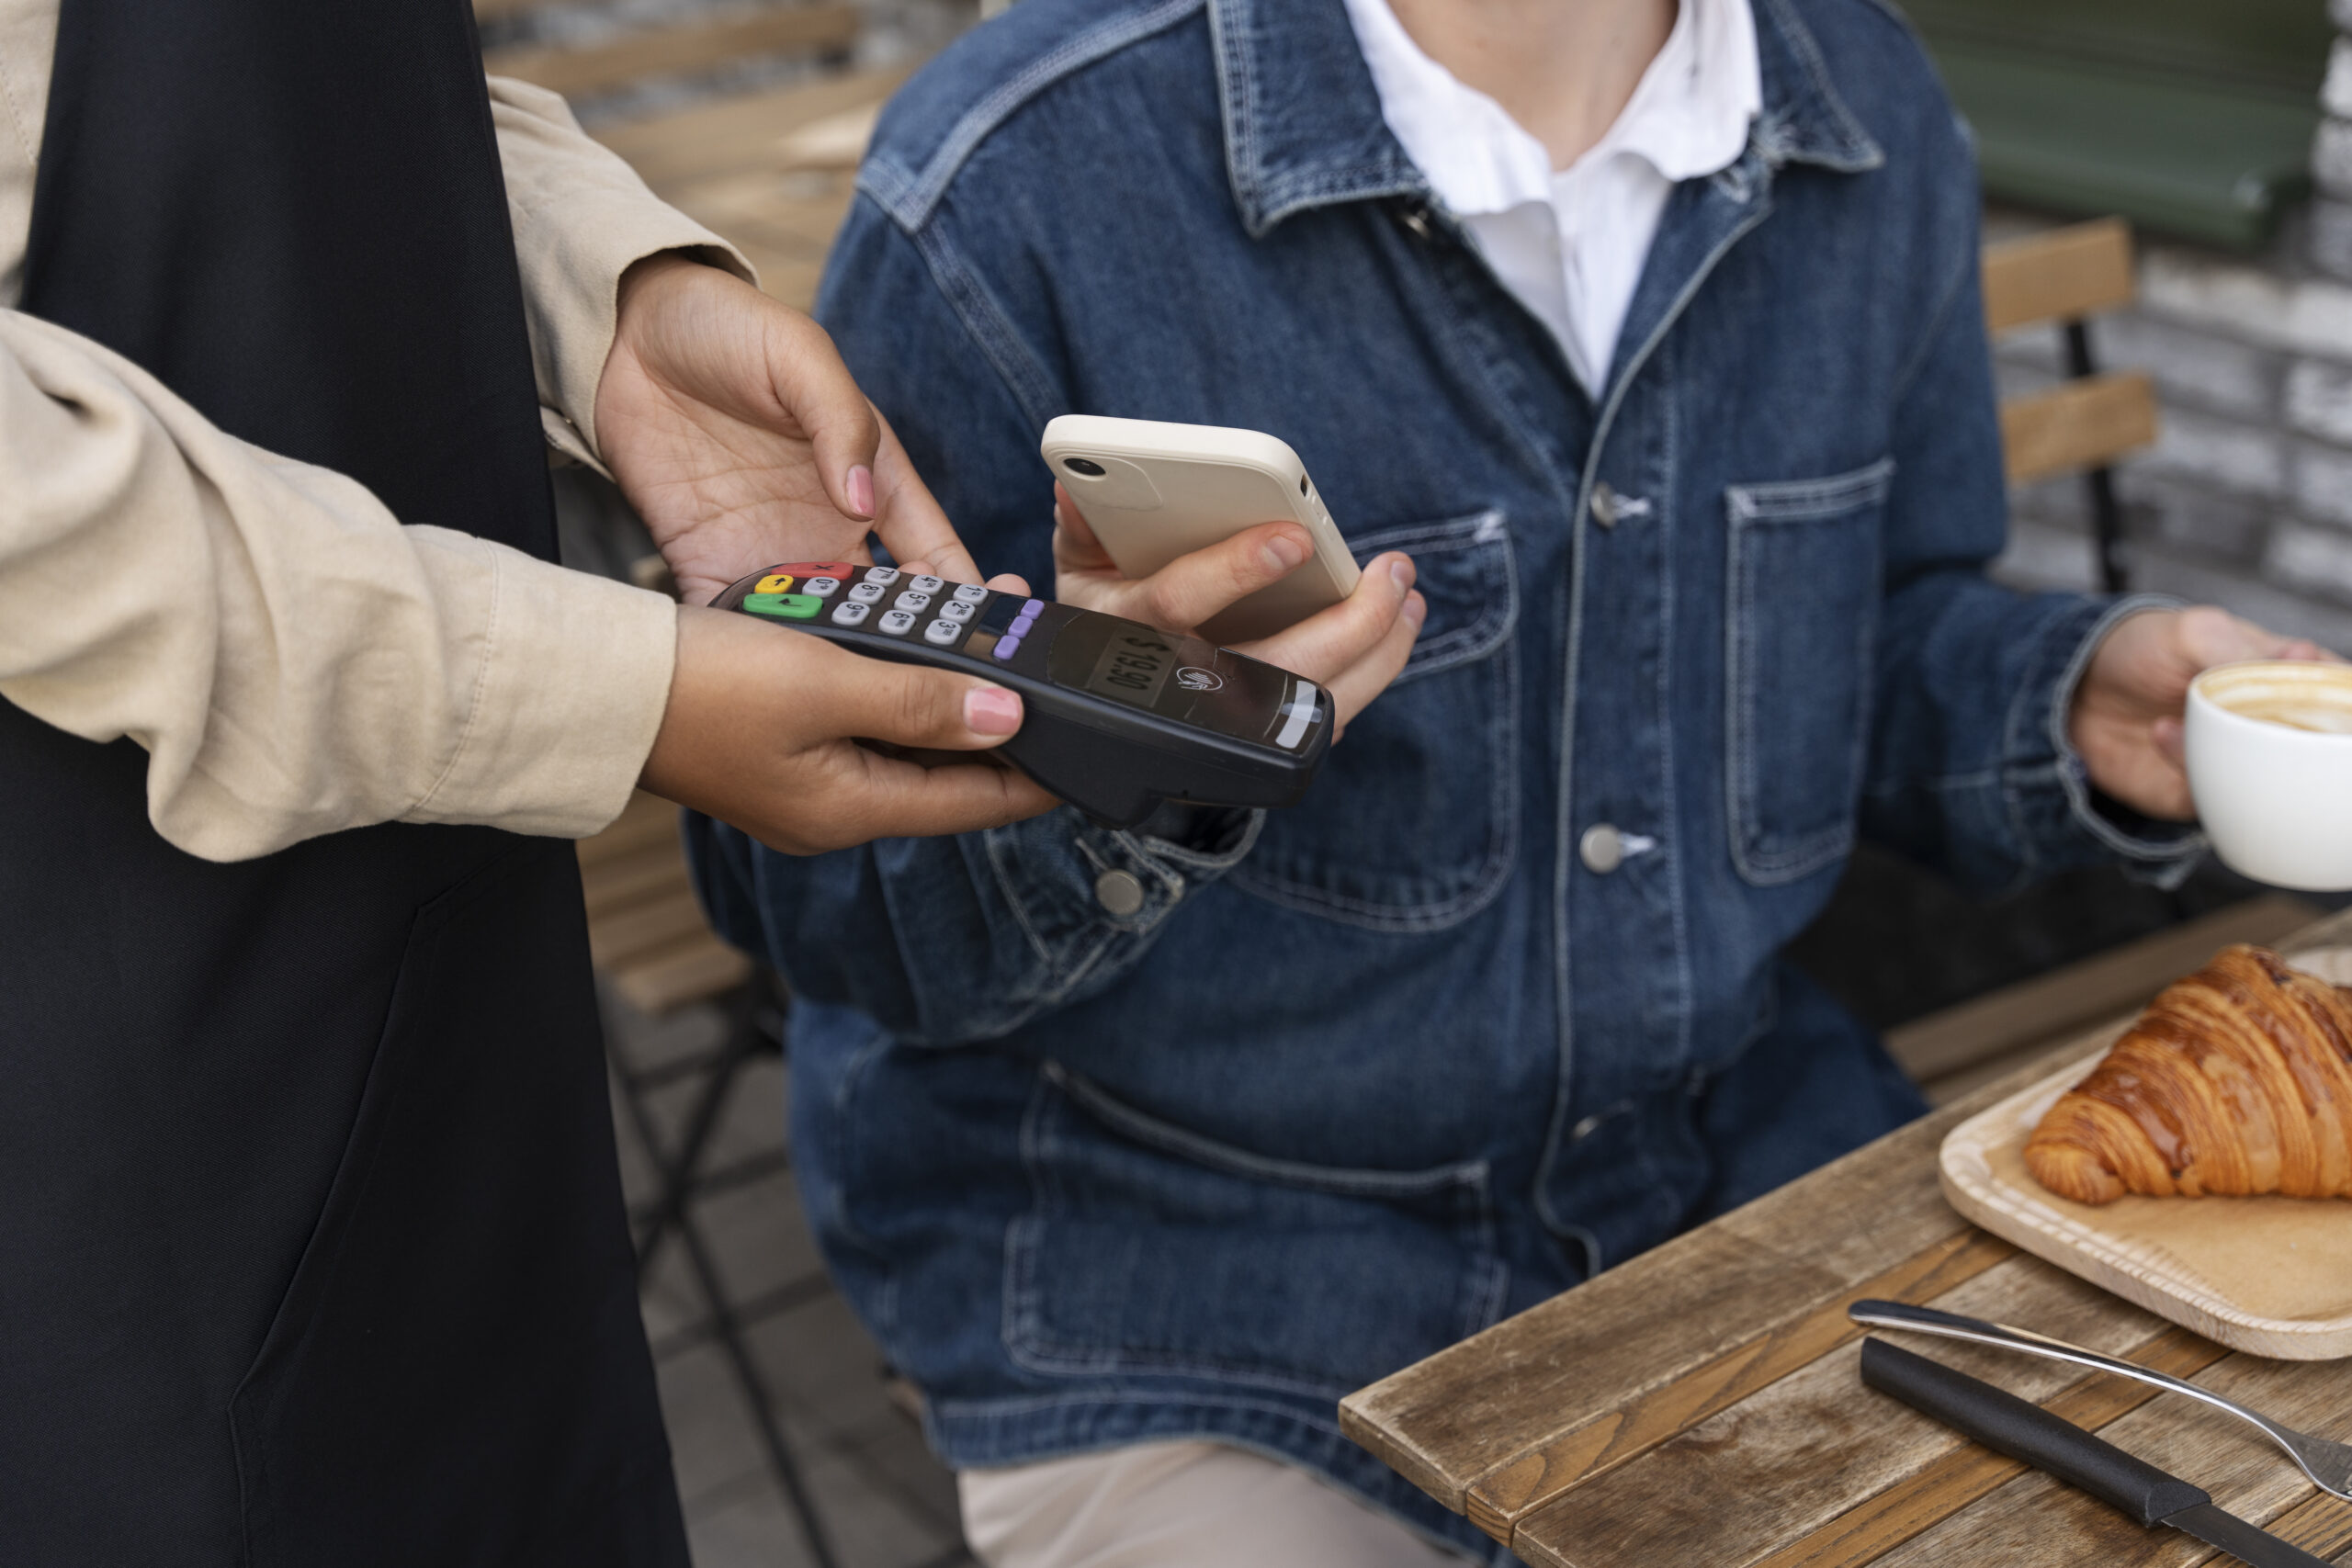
x: 2080, y: 996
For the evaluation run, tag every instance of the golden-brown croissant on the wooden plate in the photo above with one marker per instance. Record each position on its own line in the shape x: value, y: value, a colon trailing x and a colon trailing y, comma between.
x: 2236, y: 1080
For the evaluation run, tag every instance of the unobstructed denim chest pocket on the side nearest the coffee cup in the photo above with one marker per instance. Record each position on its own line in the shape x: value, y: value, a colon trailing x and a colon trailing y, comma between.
x: 1803, y: 619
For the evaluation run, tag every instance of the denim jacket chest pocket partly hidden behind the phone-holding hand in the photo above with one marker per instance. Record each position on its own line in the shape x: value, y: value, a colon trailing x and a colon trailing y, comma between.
x: 1412, y: 822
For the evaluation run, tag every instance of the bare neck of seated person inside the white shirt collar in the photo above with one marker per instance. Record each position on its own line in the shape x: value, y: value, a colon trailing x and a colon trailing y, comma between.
x: 1563, y: 69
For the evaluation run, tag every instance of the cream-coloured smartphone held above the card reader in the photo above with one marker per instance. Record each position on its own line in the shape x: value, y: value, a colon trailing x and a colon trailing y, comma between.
x: 1154, y: 492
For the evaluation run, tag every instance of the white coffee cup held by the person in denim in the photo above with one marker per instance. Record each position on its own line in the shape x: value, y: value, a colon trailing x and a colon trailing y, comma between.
x: 2271, y: 768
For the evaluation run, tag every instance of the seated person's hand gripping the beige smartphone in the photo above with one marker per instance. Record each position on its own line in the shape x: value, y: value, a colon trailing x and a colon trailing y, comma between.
x: 1351, y: 650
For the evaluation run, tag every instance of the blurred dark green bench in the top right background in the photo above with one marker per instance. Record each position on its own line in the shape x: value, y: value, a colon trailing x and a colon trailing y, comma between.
x: 2186, y: 116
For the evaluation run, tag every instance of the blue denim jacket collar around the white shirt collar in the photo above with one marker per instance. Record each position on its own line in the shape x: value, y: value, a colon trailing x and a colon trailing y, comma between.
x: 1304, y: 119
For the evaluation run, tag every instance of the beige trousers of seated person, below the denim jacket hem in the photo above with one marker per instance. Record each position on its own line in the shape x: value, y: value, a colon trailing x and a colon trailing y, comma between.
x: 1180, y: 1506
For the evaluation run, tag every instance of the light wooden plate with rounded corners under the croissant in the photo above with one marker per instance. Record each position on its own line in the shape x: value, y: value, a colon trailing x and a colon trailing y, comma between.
x: 2266, y: 1275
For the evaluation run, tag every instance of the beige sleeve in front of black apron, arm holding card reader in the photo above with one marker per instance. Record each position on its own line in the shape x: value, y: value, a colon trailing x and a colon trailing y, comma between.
x: 286, y: 650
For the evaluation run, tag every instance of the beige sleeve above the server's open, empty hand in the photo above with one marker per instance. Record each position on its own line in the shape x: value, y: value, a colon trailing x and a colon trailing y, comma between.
x: 582, y: 217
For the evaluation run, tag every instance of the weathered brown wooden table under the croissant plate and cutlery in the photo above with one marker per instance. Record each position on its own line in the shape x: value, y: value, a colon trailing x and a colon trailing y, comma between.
x: 1702, y: 1405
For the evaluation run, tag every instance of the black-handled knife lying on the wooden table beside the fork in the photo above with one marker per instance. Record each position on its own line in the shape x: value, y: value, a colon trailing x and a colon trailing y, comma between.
x: 2047, y: 1442
